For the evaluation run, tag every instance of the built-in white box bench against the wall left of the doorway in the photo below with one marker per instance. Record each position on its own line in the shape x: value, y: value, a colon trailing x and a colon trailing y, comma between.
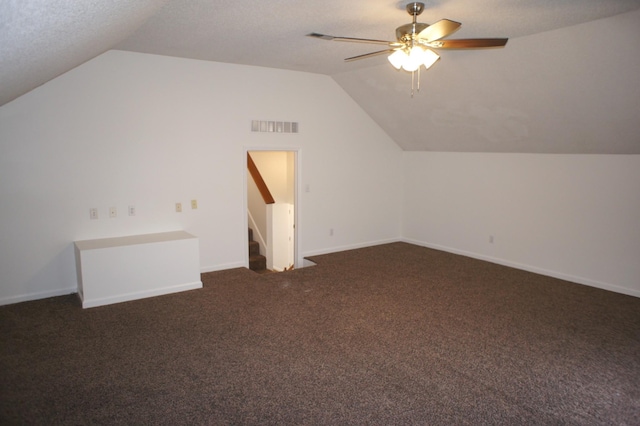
x: 112, y: 270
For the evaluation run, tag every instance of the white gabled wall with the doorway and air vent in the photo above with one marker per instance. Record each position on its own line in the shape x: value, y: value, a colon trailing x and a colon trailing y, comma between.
x: 133, y: 129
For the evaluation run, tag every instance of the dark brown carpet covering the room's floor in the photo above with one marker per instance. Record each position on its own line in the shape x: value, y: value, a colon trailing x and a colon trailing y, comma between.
x: 393, y: 334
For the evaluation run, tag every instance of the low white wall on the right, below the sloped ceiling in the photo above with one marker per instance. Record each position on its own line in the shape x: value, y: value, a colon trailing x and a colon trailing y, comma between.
x: 575, y: 217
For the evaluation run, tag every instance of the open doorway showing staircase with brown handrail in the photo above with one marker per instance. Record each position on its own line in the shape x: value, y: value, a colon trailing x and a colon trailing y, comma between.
x: 271, y: 209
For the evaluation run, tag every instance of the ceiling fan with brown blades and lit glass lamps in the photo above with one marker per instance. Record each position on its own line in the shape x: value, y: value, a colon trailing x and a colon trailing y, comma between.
x: 416, y: 41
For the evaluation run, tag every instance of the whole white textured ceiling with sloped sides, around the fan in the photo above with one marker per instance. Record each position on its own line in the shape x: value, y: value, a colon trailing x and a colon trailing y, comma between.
x: 517, y: 99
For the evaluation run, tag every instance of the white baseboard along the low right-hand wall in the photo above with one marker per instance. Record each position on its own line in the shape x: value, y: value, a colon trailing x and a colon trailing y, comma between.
x: 529, y: 268
